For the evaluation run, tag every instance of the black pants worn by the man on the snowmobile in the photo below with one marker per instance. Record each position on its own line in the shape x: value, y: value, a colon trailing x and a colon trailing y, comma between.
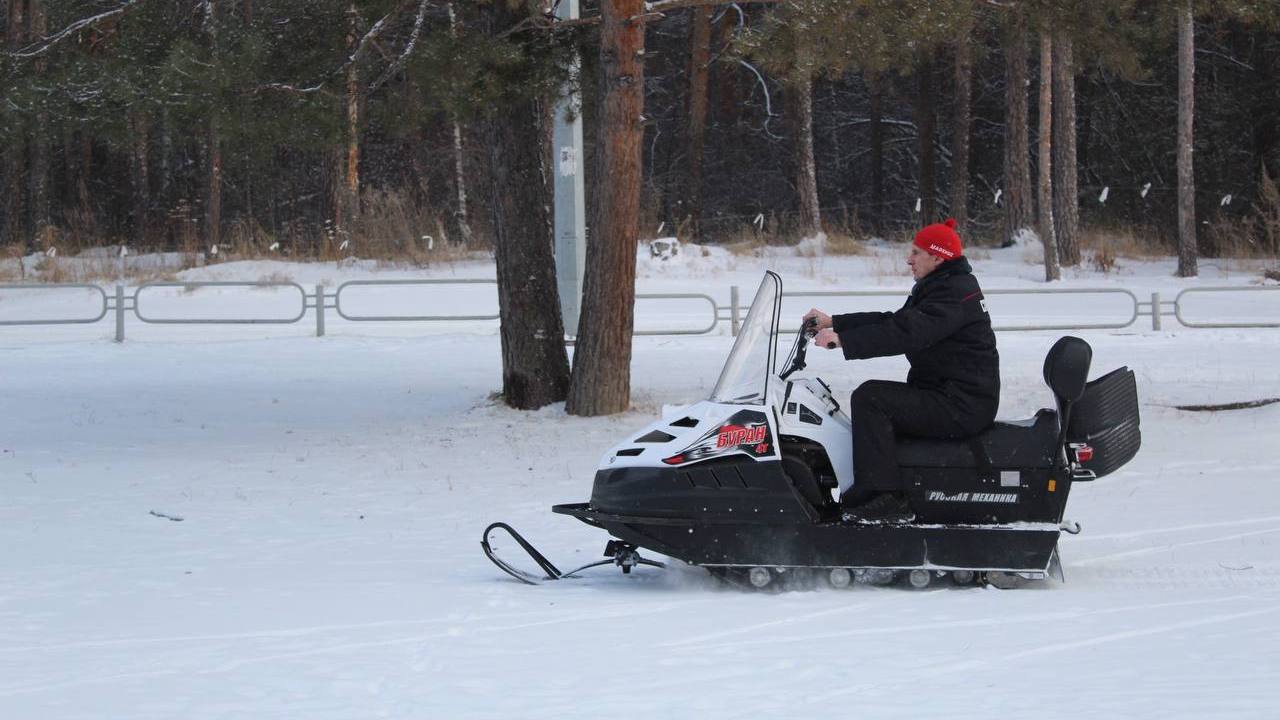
x: 883, y: 411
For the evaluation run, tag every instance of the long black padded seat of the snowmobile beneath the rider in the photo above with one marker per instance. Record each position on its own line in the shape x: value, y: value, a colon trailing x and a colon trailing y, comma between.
x: 1028, y: 444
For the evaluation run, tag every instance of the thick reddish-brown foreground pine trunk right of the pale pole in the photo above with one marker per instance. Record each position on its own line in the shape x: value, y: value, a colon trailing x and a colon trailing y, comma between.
x: 602, y: 361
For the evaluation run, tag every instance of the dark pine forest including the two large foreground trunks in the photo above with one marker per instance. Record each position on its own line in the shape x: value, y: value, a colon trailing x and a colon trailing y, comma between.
x: 400, y: 129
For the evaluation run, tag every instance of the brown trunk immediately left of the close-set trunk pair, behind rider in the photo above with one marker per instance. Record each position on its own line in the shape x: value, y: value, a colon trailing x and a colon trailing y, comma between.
x: 1018, y: 177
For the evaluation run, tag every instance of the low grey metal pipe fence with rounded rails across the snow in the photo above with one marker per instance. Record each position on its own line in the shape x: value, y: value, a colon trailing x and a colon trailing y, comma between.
x: 122, y: 303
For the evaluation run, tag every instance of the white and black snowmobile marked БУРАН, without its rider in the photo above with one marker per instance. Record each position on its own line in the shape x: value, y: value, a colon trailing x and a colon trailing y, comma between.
x: 748, y: 482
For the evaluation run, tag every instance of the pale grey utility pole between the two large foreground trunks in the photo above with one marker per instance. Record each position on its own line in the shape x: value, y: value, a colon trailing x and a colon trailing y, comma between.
x: 570, y: 193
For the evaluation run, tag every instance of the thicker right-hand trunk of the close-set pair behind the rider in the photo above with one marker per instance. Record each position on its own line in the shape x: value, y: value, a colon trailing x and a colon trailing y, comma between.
x: 1067, y: 209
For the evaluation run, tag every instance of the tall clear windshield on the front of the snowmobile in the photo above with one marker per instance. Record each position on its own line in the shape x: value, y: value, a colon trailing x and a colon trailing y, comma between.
x: 747, y: 372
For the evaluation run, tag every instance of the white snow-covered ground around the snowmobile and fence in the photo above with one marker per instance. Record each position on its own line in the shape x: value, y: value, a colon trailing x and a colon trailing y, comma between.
x: 254, y: 523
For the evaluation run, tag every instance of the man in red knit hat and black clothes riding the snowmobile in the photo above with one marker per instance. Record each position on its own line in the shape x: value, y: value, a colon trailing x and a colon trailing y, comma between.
x: 953, y: 390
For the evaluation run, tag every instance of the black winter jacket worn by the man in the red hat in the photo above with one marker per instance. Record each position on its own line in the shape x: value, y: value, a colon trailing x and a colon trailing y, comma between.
x: 945, y: 332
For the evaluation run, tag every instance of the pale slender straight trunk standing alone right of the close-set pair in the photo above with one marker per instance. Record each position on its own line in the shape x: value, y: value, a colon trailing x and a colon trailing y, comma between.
x: 1187, y: 247
